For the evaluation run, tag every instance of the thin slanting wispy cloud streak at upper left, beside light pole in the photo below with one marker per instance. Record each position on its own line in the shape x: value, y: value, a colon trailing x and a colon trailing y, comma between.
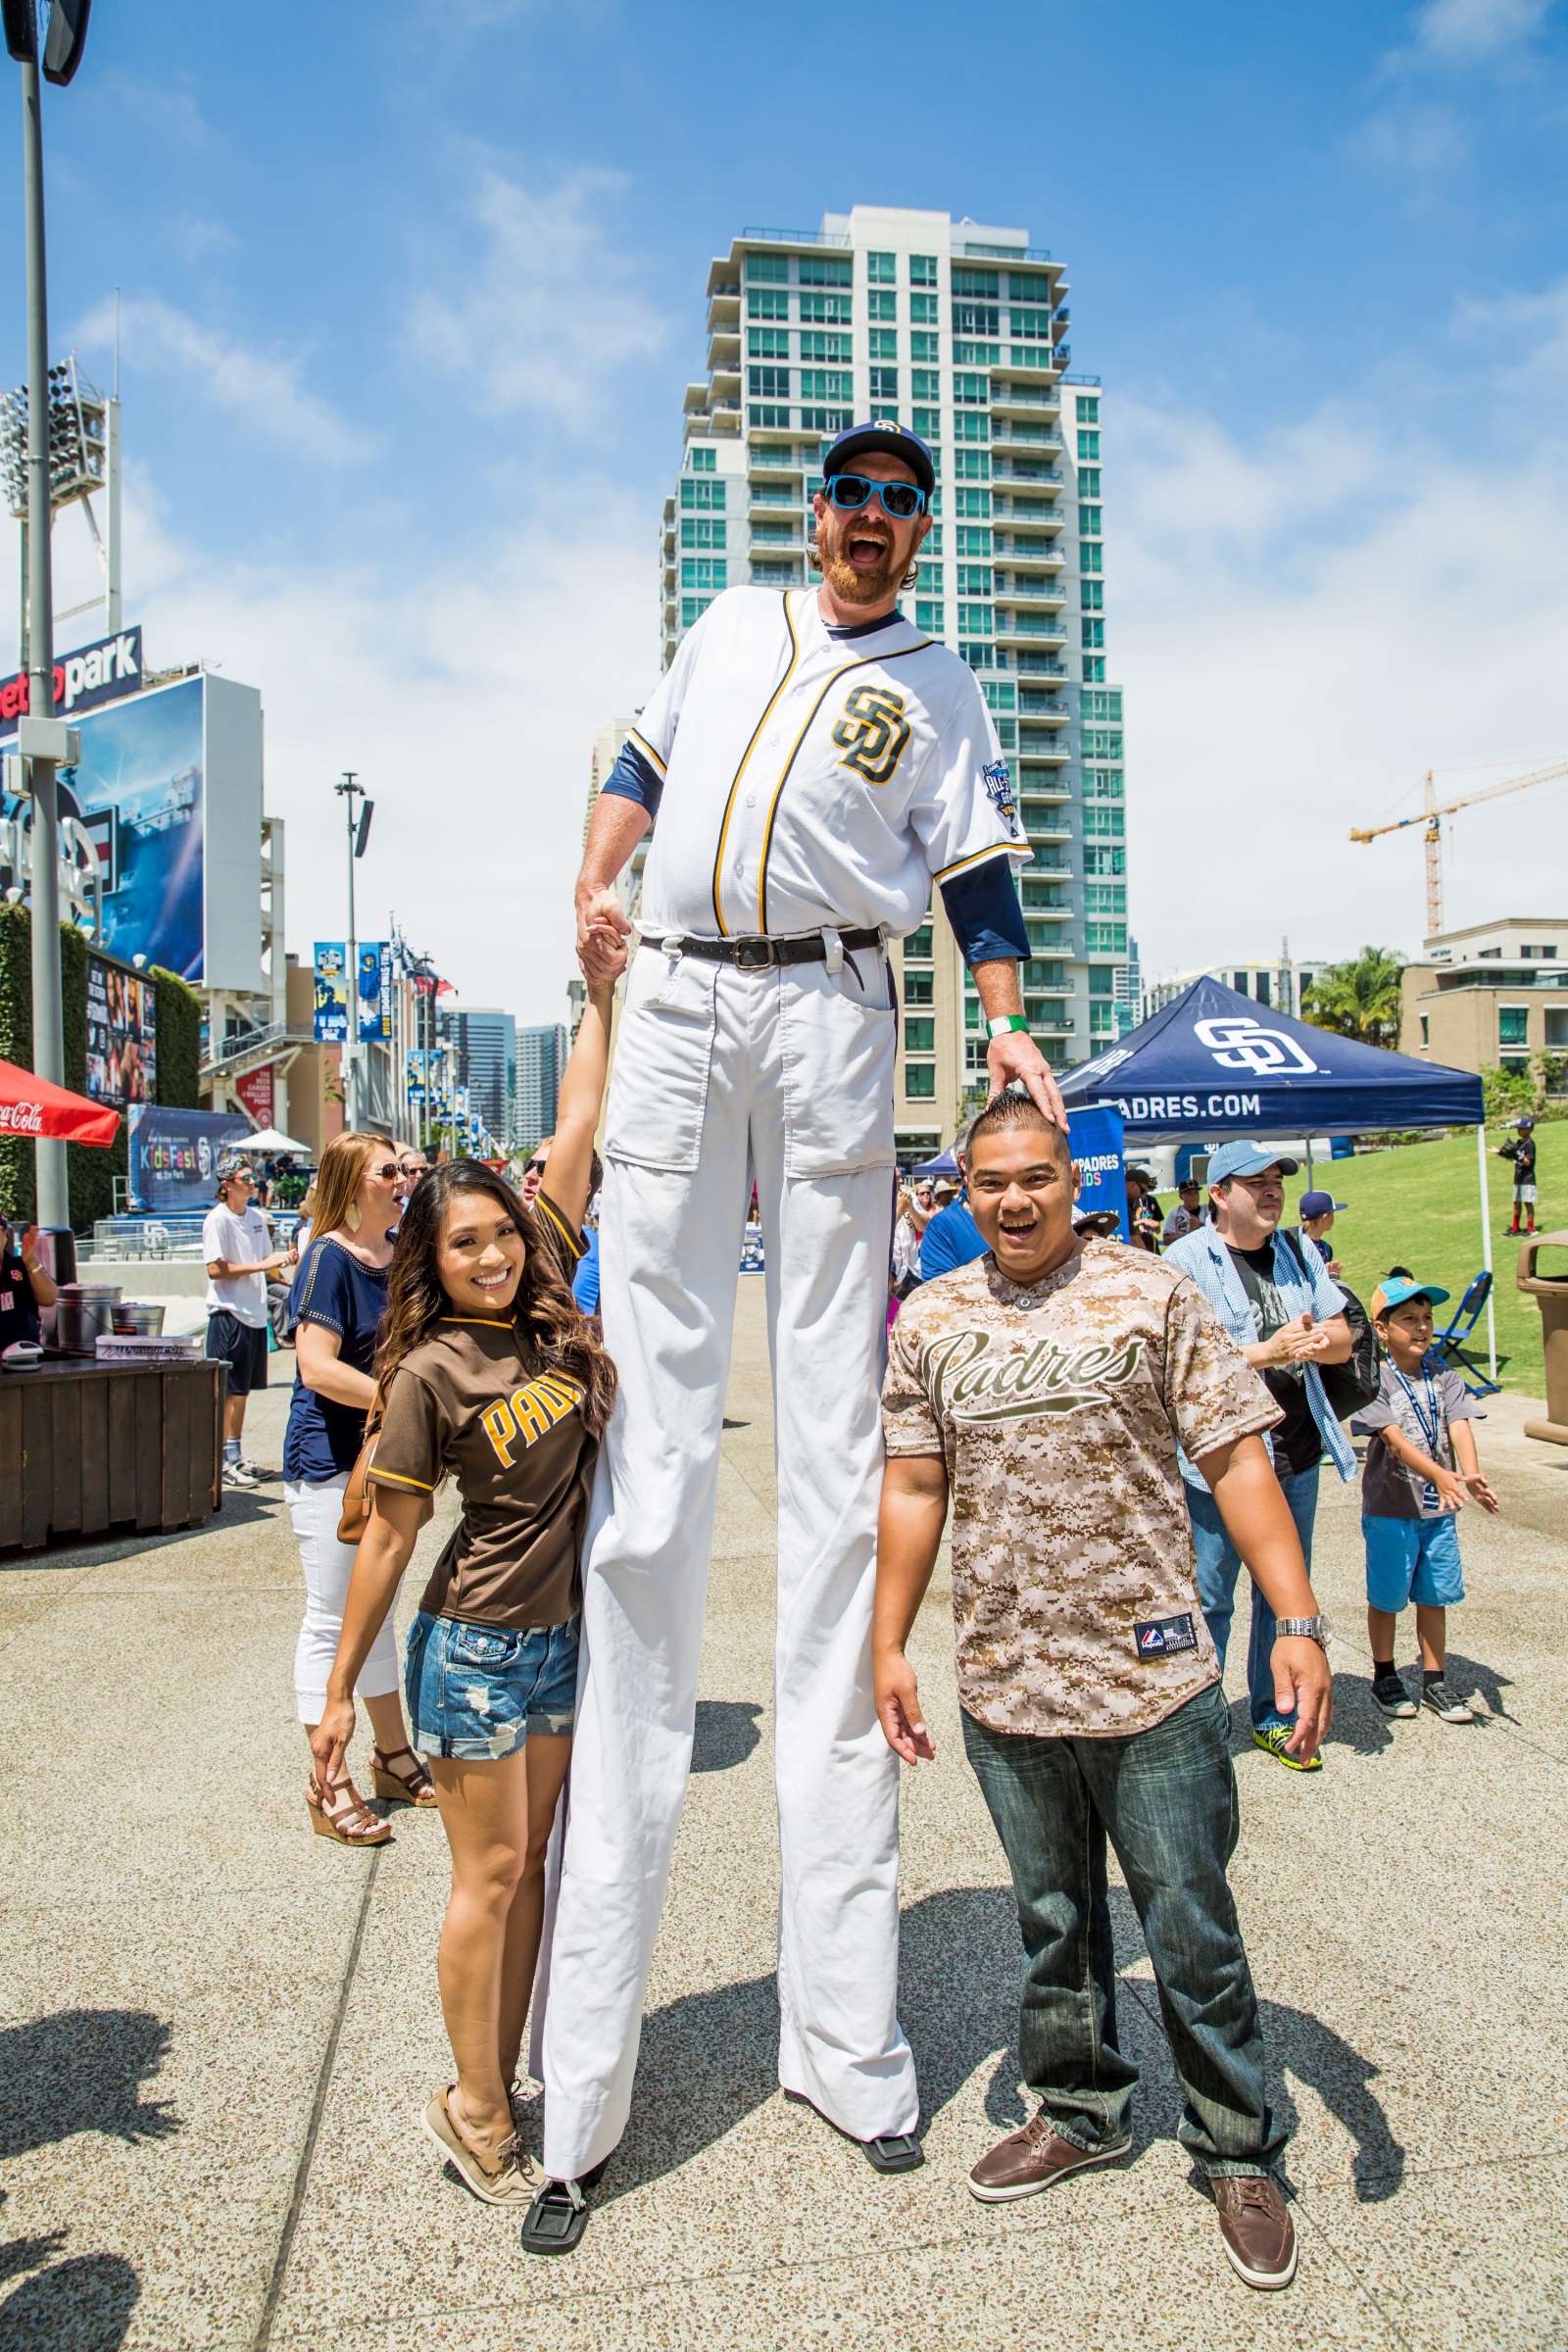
x: 260, y: 389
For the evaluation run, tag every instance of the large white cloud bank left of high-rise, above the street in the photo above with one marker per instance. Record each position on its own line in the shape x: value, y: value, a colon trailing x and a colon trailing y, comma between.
x: 464, y: 688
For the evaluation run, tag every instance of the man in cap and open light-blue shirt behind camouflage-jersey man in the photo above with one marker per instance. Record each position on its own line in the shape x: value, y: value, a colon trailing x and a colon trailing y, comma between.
x: 1289, y: 1318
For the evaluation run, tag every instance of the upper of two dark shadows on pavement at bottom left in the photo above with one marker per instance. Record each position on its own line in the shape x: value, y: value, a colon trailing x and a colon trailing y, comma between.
x: 81, y: 2071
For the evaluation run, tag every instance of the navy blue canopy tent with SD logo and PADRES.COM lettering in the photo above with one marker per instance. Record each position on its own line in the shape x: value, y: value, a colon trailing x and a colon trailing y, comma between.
x: 1214, y: 1064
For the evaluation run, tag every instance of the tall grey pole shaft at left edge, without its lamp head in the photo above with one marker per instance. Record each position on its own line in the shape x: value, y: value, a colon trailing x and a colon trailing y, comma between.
x: 48, y: 1022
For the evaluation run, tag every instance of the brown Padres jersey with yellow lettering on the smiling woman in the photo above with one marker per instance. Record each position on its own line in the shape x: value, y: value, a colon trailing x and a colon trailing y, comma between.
x: 474, y: 1401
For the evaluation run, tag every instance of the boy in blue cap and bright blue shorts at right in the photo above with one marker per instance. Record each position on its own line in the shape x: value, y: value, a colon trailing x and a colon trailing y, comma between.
x: 1421, y: 1471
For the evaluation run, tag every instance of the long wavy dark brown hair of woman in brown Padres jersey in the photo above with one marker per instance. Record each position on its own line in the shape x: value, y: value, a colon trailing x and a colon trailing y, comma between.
x: 544, y: 1307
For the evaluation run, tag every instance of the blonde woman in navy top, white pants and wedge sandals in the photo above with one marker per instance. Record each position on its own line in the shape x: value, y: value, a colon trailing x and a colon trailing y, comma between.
x: 337, y: 1302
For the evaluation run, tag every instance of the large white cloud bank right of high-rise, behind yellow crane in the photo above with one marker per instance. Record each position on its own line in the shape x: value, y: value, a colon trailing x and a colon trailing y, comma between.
x: 1296, y: 660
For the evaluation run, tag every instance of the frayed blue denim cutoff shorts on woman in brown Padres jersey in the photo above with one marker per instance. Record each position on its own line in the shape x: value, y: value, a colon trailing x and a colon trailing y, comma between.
x: 476, y: 1692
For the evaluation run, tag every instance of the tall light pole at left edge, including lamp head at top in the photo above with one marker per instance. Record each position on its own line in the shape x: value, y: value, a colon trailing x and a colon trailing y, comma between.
x: 43, y: 740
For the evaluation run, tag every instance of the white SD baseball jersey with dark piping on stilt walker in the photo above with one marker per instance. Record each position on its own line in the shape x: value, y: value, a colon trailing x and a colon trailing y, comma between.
x: 812, y: 780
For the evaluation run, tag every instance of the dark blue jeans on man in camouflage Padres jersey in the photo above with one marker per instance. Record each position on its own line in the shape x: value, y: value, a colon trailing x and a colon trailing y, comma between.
x: 1167, y: 1800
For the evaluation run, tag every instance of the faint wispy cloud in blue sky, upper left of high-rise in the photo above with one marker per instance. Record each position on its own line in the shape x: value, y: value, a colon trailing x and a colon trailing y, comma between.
x: 547, y: 309
